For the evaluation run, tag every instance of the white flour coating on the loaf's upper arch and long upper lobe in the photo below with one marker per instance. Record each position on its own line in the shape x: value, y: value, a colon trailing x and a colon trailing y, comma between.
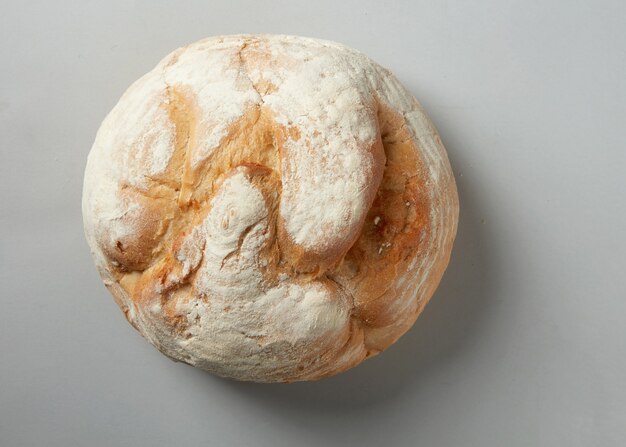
x: 336, y: 120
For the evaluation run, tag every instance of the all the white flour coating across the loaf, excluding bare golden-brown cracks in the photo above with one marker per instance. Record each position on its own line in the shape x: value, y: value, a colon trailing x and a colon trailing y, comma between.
x: 237, y: 322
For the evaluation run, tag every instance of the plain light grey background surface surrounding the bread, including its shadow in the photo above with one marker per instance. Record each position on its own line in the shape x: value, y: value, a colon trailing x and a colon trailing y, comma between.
x: 524, y: 343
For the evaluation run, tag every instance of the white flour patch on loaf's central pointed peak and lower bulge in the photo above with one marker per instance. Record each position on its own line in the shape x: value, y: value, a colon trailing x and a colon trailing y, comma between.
x: 243, y: 319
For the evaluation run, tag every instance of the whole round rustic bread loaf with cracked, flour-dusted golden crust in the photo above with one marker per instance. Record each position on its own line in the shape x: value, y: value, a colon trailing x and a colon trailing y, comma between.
x: 269, y: 208
